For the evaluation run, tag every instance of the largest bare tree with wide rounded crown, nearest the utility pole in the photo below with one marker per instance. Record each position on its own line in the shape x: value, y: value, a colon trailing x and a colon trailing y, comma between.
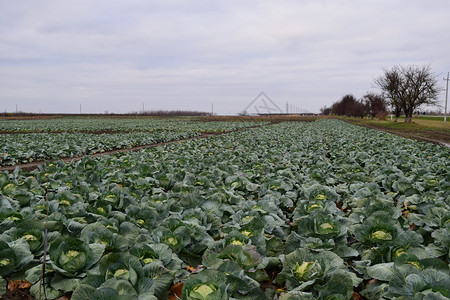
x: 407, y: 88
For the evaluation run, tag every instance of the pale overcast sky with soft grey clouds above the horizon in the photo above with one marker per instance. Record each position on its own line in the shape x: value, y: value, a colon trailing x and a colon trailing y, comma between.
x: 117, y: 55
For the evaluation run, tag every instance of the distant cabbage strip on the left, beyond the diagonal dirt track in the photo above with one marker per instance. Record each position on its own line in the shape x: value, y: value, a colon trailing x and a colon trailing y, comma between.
x: 24, y: 148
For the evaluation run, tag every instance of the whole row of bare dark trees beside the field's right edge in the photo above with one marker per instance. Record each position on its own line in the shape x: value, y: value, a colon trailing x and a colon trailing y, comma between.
x: 404, y: 89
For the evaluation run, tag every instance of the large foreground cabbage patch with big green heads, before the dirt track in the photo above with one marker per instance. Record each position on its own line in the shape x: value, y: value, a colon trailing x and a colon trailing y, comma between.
x: 317, y: 210
